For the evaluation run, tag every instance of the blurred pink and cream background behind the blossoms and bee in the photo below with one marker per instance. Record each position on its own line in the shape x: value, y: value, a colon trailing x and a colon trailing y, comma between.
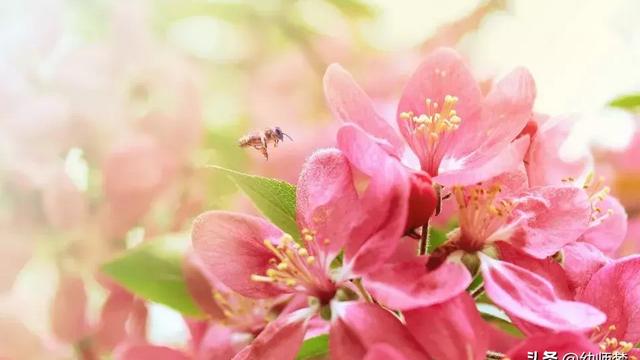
x: 109, y: 111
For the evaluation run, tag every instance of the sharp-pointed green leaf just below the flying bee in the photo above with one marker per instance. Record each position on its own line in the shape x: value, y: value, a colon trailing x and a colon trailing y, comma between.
x: 276, y: 199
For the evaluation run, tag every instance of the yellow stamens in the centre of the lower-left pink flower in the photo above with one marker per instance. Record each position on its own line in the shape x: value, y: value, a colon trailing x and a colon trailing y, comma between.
x: 297, y: 267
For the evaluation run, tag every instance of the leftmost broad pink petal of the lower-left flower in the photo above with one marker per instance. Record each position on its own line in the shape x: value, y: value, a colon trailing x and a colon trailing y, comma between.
x: 231, y: 247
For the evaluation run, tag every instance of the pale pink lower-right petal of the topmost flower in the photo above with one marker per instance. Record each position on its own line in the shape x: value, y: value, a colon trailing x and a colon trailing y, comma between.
x: 482, y: 165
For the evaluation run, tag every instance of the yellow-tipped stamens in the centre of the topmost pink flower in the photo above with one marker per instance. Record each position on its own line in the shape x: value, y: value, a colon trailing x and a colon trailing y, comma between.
x: 430, y: 128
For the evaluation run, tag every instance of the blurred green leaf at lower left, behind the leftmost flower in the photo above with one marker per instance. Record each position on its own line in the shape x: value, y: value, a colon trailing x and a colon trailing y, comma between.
x: 153, y: 271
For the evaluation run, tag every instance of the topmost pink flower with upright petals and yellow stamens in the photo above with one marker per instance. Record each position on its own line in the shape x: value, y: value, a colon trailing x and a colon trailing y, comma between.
x: 458, y: 136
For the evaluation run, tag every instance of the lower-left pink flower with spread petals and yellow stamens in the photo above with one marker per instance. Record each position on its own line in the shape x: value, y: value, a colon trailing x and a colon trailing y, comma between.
x: 358, y: 206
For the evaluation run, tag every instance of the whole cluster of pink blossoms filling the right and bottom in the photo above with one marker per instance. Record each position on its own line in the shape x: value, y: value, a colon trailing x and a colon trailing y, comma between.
x: 528, y: 263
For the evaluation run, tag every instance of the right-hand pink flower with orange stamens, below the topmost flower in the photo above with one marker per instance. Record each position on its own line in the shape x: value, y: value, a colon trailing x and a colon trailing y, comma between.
x: 538, y: 222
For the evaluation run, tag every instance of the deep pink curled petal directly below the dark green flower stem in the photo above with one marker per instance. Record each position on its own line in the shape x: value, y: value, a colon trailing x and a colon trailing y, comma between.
x: 408, y: 285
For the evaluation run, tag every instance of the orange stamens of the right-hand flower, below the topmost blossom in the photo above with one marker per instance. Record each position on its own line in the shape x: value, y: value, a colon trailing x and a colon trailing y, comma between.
x: 481, y: 214
